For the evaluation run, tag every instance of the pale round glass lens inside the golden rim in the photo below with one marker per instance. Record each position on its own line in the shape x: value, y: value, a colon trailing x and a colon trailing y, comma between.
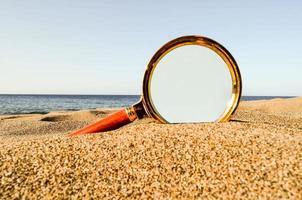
x: 191, y: 83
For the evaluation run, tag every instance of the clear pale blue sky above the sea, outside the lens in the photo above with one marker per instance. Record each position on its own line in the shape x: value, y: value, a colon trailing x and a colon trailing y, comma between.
x: 103, y: 47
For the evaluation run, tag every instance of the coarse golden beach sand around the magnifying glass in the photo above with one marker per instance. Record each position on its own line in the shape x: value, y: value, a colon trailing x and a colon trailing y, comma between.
x: 256, y: 155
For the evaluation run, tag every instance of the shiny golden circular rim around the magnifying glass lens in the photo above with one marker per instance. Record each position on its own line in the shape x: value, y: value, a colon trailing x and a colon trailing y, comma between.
x: 193, y: 40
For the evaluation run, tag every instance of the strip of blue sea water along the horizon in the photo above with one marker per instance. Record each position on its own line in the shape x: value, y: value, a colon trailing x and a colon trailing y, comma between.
x: 11, y: 104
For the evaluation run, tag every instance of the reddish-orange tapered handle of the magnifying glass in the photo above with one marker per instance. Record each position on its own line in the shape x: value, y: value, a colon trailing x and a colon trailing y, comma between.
x: 113, y: 121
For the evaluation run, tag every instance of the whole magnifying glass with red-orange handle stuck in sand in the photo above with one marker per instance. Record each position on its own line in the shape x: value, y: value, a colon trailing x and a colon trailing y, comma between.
x: 190, y: 79
